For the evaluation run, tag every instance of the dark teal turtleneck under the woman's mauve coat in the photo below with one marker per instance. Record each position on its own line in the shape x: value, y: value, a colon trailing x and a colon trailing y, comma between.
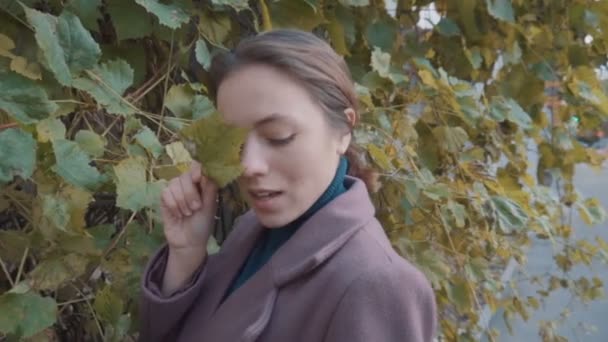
x: 272, y: 239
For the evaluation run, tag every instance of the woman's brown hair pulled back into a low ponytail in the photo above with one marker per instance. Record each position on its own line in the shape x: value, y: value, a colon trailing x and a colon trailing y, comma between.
x: 313, y: 63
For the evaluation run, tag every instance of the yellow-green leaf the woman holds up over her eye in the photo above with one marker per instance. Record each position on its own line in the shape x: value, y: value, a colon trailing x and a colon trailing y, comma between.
x: 216, y: 145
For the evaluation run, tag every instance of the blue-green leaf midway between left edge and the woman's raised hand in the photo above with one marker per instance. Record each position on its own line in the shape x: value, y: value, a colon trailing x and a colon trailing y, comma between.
x: 73, y: 165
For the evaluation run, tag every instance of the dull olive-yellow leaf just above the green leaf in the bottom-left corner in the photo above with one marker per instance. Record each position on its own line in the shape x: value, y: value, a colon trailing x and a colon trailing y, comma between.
x: 52, y: 273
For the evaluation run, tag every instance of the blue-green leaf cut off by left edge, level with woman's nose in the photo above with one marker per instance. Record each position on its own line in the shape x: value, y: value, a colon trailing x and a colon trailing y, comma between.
x: 17, y: 154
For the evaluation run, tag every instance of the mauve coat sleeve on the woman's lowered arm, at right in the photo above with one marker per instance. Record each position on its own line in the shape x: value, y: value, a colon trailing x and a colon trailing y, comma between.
x: 388, y: 306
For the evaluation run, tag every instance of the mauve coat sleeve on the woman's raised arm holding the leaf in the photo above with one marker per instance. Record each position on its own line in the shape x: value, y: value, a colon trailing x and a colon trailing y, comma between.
x: 161, y: 315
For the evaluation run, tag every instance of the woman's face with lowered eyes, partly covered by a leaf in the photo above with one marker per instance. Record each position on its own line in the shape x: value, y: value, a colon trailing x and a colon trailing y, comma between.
x: 291, y: 153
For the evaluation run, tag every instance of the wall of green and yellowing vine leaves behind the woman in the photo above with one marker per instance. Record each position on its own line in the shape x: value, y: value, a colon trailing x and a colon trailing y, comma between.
x: 93, y: 94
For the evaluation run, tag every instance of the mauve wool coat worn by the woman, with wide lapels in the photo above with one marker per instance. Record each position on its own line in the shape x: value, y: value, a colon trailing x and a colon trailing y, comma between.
x: 336, y: 279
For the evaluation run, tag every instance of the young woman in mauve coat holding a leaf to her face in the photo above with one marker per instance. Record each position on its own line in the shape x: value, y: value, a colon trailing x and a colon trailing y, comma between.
x: 309, y: 261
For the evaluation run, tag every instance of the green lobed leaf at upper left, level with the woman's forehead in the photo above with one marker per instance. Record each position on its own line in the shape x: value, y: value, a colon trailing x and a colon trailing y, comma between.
x: 107, y: 83
